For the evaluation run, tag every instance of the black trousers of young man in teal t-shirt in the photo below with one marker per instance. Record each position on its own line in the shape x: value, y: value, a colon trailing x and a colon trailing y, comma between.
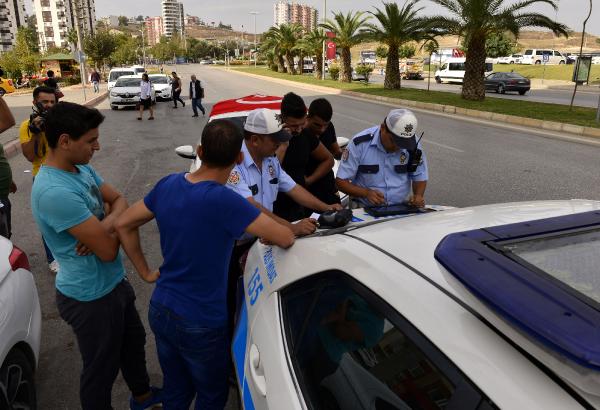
x: 110, y: 336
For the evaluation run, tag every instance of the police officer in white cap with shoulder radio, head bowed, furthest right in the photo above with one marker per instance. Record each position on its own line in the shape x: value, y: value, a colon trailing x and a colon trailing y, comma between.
x: 383, y: 164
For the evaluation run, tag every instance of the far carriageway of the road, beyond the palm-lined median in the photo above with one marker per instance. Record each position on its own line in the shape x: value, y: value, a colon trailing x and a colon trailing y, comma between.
x: 588, y: 97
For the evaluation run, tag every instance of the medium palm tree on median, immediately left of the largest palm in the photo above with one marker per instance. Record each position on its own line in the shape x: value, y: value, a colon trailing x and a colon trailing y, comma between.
x: 398, y: 26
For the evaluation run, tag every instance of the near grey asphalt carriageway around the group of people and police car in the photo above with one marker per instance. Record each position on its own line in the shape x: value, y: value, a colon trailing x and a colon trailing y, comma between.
x: 470, y: 164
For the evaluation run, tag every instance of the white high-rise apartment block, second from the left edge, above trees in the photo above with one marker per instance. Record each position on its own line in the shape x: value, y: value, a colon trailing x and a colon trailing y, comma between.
x: 55, y: 18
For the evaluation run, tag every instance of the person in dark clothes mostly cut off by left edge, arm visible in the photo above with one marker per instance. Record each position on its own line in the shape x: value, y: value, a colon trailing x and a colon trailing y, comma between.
x: 7, y: 185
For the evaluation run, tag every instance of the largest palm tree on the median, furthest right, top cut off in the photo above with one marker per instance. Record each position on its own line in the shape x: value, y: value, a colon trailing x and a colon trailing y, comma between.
x: 475, y: 20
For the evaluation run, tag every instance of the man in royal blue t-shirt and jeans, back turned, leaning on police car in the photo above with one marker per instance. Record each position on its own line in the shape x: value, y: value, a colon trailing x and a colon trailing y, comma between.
x: 198, y: 220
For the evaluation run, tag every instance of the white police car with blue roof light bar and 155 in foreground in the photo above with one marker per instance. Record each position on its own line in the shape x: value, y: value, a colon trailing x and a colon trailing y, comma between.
x: 487, y: 307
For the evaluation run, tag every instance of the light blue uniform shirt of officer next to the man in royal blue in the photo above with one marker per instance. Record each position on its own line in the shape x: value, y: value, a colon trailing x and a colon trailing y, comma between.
x: 261, y: 184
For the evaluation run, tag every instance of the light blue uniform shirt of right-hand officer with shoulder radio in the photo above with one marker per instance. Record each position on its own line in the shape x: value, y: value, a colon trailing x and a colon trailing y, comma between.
x: 367, y: 164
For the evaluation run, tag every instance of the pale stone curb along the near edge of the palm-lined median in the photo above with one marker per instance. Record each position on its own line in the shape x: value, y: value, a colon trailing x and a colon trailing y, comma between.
x: 577, y: 130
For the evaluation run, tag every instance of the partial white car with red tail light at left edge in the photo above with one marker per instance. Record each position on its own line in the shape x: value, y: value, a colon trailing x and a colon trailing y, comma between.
x: 20, y: 329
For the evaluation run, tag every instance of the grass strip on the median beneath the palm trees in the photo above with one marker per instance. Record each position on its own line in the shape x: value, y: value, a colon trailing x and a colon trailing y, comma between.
x: 549, y: 112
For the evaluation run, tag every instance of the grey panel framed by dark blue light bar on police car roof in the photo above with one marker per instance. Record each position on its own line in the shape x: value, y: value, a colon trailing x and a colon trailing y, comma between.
x: 570, y: 258
